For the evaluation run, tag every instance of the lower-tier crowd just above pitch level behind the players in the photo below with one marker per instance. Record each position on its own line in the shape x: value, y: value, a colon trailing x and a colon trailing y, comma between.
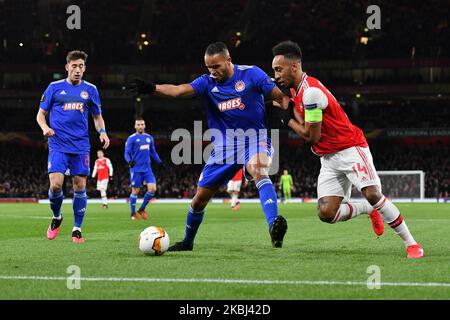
x: 23, y: 171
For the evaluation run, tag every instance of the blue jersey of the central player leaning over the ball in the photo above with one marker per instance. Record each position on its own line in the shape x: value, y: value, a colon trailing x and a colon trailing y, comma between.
x: 238, y: 103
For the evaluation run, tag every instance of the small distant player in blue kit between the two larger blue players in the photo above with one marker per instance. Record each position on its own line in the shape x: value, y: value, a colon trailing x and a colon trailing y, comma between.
x: 139, y: 153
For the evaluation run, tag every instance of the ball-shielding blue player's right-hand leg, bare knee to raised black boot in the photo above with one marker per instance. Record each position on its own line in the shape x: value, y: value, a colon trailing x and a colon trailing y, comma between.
x: 258, y: 166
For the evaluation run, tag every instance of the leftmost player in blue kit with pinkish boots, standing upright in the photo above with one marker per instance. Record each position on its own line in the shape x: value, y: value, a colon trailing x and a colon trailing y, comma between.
x: 69, y: 103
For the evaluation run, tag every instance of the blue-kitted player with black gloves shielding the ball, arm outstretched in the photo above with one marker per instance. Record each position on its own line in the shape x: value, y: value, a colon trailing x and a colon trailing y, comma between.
x: 234, y: 99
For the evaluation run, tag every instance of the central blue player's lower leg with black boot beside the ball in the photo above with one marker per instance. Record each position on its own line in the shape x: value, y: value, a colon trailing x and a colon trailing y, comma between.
x: 195, y: 217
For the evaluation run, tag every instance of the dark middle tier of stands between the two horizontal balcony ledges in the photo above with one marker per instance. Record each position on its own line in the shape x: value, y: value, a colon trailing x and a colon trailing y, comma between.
x: 368, y: 116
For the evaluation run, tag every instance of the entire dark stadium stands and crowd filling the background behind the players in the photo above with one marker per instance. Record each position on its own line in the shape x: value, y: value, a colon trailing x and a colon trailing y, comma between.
x: 177, y: 39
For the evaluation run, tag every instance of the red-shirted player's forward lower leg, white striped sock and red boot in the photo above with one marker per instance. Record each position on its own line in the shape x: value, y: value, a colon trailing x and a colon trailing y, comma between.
x: 394, y: 219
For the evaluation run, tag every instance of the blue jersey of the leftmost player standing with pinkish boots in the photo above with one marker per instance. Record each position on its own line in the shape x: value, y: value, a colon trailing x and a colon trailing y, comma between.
x: 69, y: 107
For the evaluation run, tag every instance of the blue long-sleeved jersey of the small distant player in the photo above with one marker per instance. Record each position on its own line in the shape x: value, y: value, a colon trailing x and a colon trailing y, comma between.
x: 141, y: 149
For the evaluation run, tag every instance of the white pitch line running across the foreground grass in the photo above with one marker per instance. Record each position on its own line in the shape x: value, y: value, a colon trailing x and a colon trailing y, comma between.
x: 233, y: 281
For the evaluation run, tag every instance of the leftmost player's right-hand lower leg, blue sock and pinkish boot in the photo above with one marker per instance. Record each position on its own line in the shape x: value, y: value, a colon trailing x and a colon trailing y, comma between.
x: 79, y: 206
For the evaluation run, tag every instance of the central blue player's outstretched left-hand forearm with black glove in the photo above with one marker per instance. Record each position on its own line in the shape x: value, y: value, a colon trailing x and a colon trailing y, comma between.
x: 139, y: 86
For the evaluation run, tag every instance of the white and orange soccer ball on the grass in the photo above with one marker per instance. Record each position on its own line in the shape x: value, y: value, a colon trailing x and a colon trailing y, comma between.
x: 154, y: 241
